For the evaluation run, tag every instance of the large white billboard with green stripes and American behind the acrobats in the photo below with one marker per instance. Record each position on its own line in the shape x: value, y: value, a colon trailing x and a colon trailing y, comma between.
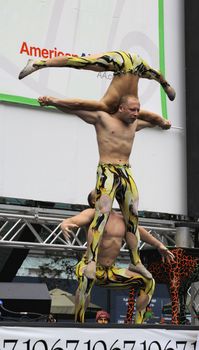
x: 51, y: 157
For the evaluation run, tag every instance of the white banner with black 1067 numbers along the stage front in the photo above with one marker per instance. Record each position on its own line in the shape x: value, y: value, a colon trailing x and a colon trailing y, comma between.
x: 48, y: 338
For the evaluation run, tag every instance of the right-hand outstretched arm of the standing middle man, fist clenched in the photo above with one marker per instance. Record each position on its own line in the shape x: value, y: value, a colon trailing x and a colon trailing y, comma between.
x: 154, y: 119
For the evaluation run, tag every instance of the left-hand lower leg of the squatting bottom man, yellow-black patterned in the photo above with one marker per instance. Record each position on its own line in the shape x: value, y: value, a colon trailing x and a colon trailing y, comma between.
x: 82, y: 295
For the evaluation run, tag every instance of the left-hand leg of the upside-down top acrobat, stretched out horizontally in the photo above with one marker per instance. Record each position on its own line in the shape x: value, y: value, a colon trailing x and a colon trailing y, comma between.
x: 109, y: 61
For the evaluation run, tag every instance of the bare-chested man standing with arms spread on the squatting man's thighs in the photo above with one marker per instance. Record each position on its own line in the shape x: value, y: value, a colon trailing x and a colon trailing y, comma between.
x: 115, y: 136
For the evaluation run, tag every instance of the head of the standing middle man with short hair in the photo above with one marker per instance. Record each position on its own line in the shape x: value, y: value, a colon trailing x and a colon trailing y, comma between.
x: 129, y: 108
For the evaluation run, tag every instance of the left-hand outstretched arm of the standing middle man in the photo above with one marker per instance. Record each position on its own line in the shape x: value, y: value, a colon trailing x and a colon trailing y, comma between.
x: 90, y: 117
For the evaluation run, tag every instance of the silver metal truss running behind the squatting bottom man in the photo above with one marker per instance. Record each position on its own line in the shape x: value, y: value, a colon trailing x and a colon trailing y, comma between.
x: 43, y: 225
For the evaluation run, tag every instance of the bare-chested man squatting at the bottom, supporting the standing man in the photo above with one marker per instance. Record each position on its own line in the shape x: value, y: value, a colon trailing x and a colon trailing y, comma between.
x: 107, y: 273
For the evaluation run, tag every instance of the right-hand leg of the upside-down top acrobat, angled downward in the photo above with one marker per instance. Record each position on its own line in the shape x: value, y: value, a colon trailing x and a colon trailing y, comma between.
x: 145, y: 71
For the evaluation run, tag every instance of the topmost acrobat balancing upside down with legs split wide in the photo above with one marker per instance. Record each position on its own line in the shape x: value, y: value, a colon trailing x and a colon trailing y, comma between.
x: 127, y: 68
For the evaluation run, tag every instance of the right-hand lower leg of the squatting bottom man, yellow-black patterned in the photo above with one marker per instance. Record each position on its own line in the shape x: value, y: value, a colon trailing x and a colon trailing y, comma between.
x: 144, y: 299
